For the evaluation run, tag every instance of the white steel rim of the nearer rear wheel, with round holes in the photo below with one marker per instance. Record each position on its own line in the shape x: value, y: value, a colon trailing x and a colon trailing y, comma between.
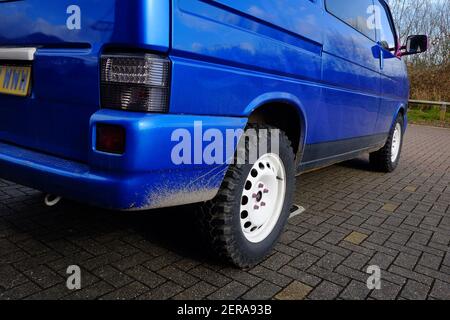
x: 263, y: 198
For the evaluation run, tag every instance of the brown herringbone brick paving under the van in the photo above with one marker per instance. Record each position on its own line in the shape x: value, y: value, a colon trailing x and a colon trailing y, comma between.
x: 354, y: 218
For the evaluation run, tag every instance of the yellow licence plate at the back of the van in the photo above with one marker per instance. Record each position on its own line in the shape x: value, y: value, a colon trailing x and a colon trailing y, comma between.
x: 15, y: 80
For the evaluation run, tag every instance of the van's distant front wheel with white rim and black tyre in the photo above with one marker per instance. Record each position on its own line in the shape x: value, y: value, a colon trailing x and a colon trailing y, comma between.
x: 388, y: 157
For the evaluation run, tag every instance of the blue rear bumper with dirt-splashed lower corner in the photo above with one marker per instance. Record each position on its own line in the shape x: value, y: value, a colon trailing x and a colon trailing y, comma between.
x: 144, y: 177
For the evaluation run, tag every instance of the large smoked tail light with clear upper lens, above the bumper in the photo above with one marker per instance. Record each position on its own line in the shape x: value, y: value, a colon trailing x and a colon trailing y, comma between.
x: 137, y: 82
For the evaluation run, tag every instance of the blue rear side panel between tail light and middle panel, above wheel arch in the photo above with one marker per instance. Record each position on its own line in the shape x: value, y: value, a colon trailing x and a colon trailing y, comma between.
x: 243, y: 56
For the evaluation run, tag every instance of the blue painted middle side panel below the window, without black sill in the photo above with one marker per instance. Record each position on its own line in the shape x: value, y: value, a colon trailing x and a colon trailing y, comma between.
x: 351, y: 69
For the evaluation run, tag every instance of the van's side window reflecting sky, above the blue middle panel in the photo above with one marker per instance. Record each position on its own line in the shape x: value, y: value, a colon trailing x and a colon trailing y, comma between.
x: 357, y: 14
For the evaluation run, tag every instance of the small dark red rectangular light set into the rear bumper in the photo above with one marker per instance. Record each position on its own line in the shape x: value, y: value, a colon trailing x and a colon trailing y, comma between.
x: 110, y: 139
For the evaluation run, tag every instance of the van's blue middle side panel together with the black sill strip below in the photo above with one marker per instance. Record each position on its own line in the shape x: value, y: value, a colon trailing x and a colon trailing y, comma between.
x: 350, y: 100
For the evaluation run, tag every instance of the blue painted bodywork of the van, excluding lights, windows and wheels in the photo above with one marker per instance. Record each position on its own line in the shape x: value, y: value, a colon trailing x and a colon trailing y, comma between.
x: 228, y: 59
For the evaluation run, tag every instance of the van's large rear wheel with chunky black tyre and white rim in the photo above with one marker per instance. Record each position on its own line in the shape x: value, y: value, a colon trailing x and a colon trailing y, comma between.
x: 247, y: 217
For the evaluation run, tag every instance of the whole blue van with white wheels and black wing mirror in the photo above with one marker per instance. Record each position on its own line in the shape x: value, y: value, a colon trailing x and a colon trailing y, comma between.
x: 96, y: 94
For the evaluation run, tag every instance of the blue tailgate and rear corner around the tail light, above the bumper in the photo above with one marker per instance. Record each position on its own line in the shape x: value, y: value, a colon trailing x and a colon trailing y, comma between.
x: 53, y: 116
